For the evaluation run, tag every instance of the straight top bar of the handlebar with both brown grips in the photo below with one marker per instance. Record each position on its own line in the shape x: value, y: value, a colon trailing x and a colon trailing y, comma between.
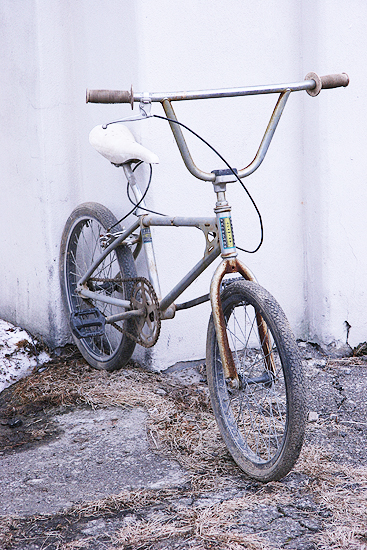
x: 312, y: 84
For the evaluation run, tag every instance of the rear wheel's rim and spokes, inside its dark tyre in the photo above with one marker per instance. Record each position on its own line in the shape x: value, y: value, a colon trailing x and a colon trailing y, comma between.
x: 83, y: 248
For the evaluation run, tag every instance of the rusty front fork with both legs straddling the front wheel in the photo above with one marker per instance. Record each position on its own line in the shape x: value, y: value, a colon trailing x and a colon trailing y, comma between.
x: 233, y: 265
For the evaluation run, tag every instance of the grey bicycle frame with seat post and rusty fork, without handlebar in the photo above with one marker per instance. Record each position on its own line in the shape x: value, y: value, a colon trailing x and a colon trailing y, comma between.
x: 219, y: 240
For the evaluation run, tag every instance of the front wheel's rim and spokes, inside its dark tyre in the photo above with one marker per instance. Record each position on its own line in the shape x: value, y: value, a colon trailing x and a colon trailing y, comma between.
x: 256, y: 415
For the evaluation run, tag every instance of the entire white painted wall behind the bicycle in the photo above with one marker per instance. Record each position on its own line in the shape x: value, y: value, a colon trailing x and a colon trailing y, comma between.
x: 310, y: 188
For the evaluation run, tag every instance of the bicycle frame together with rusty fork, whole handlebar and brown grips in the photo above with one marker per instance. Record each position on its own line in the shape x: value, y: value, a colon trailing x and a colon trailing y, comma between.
x: 222, y: 242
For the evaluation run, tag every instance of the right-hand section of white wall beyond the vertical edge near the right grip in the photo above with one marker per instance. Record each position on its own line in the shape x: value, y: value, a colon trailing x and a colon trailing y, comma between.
x: 334, y: 186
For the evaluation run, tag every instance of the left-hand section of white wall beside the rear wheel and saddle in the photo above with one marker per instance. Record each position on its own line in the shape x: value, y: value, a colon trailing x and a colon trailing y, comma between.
x: 52, y: 50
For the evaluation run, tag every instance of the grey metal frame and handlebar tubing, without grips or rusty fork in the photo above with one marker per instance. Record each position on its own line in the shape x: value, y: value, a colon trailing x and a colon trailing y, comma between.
x: 208, y: 225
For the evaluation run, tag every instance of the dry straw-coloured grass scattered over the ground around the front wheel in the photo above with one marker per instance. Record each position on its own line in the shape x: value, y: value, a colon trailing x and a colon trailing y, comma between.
x: 181, y: 425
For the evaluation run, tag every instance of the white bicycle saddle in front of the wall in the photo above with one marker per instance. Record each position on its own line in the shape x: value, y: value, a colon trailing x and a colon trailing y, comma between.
x: 118, y: 145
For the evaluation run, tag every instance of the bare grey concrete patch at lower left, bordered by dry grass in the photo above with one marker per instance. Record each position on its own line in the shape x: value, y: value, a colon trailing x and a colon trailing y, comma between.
x: 96, y: 454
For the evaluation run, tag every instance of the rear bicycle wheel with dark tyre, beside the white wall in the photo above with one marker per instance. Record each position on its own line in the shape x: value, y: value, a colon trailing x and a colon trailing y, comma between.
x: 83, y: 241
